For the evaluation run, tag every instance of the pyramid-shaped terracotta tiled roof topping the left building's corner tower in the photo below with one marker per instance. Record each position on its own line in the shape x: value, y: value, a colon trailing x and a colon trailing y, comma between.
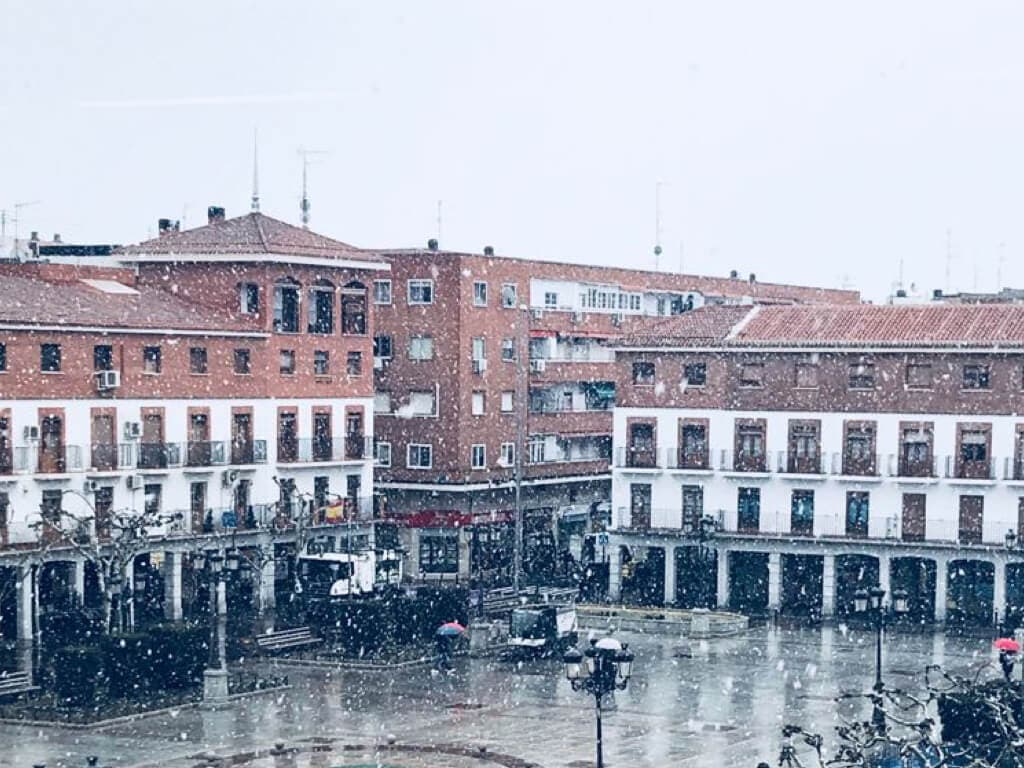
x: 253, y: 234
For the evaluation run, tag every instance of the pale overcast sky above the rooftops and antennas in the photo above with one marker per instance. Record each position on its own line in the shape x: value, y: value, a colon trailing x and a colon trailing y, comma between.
x: 805, y: 142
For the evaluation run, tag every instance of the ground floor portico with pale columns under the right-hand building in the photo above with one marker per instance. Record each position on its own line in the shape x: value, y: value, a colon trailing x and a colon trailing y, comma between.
x: 817, y: 579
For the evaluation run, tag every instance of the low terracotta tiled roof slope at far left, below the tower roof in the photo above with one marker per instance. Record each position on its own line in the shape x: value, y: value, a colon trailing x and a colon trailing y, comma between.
x: 39, y: 303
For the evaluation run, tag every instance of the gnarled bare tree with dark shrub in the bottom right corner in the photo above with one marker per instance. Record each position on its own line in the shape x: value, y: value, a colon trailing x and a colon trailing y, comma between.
x: 962, y: 722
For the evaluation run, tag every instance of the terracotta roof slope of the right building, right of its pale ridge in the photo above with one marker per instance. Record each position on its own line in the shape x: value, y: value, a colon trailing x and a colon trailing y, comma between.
x: 988, y: 325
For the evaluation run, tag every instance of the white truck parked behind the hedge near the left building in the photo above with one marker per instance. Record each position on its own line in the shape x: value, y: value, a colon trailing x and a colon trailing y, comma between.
x: 326, y: 576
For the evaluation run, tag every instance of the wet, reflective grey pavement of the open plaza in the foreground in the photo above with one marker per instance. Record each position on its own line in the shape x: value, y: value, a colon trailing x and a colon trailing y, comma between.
x: 723, y: 705
